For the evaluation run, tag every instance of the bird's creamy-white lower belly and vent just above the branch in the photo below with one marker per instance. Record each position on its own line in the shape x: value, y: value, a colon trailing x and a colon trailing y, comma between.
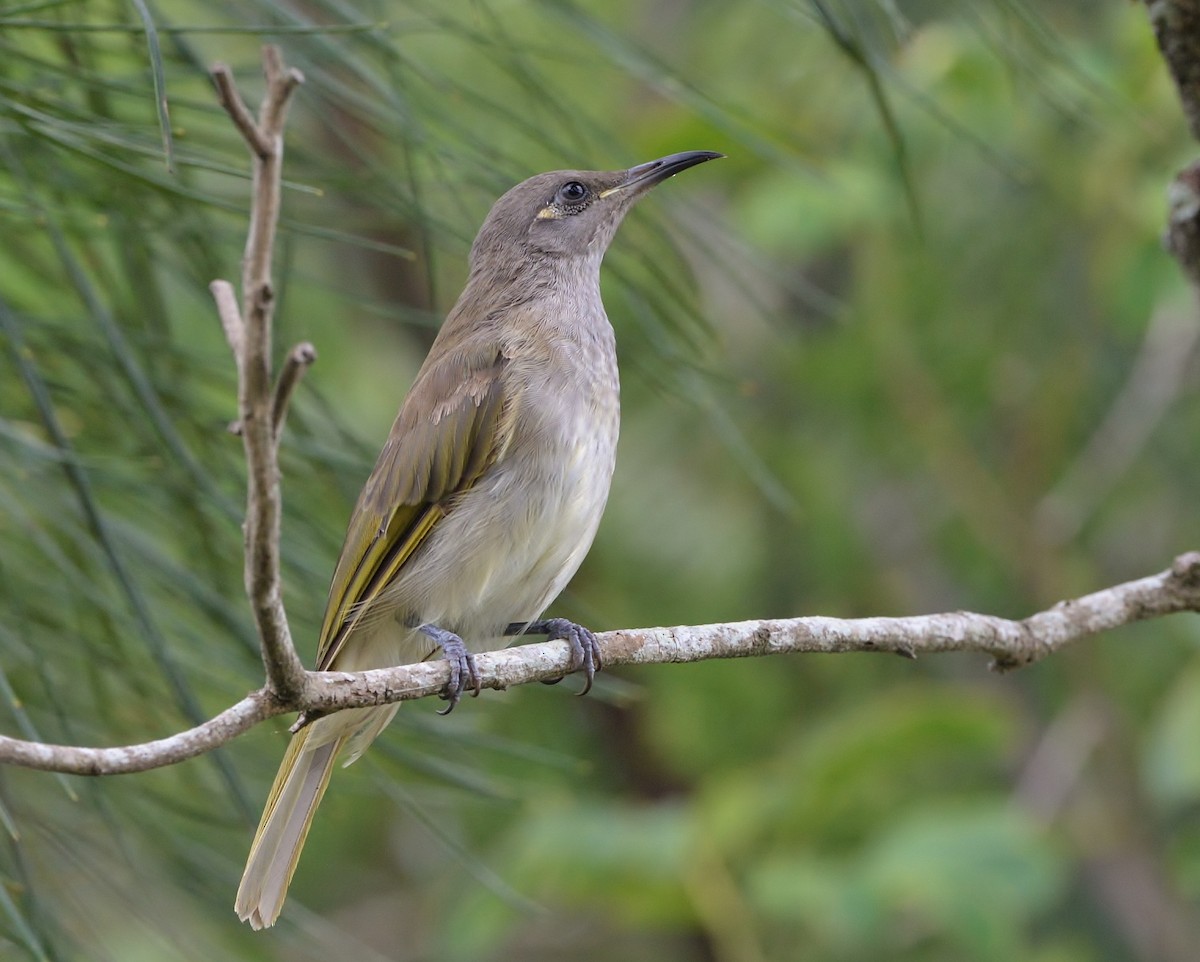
x: 507, y: 548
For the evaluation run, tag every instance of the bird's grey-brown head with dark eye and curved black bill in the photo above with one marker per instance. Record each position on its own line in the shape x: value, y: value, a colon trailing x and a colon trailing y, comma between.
x: 574, y: 213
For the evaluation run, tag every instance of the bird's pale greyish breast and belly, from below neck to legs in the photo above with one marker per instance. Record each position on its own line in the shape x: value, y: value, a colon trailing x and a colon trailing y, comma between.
x: 512, y: 543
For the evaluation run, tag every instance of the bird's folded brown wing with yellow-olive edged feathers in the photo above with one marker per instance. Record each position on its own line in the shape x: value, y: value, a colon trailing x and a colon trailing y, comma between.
x: 455, y: 423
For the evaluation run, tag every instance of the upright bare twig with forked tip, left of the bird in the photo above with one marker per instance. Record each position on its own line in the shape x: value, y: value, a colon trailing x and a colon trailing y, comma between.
x: 285, y: 671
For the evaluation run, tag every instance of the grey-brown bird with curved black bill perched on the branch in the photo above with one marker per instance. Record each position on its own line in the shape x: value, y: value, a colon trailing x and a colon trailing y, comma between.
x: 488, y: 492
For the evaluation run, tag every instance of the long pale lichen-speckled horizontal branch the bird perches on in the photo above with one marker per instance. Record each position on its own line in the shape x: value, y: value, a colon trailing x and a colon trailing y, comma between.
x: 1010, y: 644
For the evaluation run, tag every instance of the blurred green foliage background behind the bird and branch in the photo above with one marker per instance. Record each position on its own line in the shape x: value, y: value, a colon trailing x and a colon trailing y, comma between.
x: 914, y: 347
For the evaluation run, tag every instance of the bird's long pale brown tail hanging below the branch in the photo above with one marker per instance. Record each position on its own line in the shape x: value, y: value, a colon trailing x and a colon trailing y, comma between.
x: 298, y: 790
